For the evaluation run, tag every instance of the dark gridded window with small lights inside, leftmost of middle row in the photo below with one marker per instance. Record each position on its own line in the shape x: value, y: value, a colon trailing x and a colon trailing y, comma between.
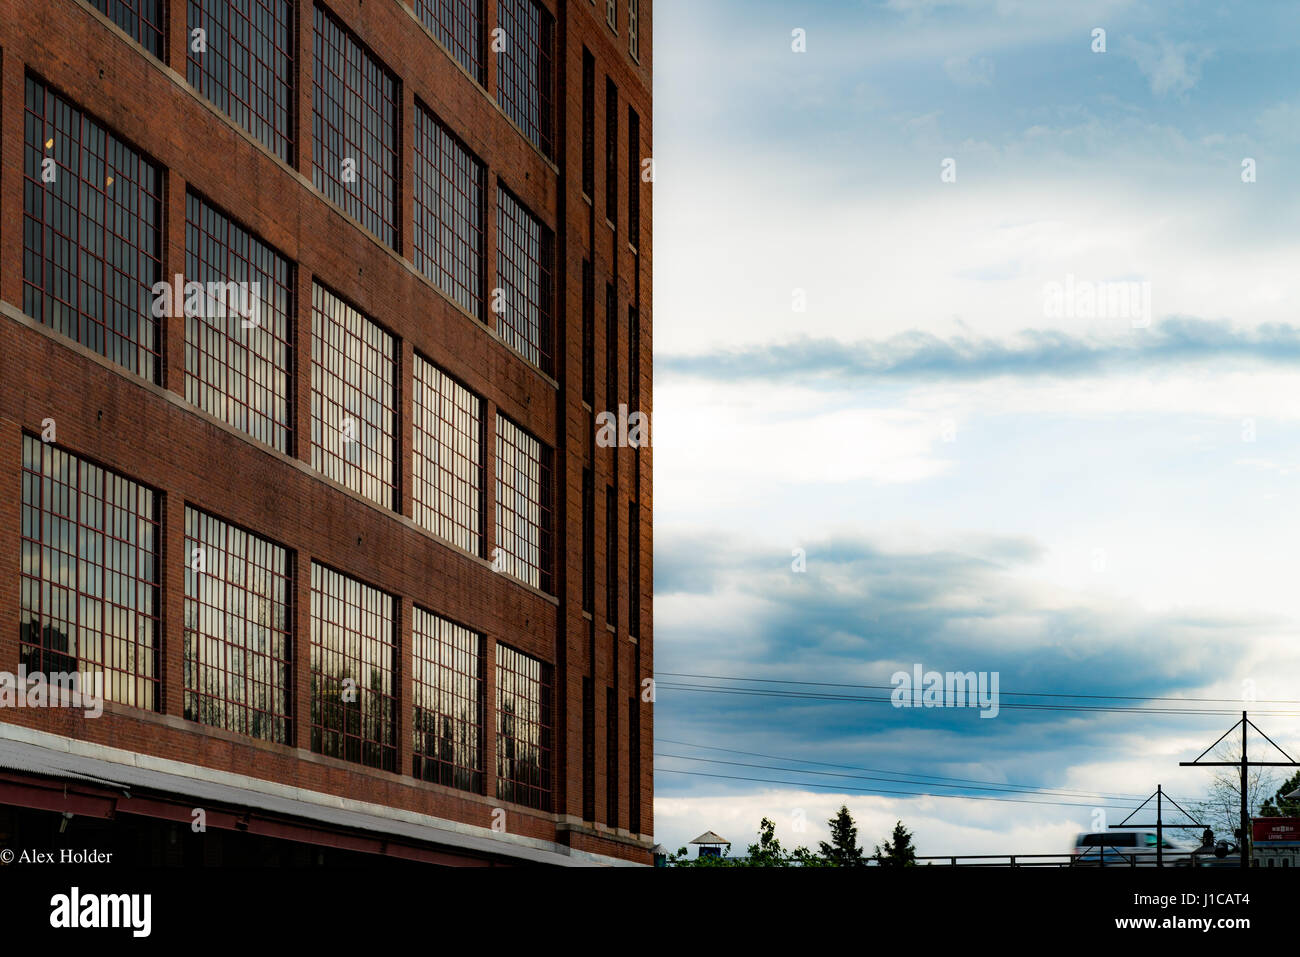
x: 93, y: 235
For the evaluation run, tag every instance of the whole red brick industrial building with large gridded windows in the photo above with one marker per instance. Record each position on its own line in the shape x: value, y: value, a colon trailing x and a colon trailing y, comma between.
x: 311, y: 311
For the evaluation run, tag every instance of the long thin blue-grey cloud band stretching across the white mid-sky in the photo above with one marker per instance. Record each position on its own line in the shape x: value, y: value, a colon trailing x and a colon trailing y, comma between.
x: 1035, y: 353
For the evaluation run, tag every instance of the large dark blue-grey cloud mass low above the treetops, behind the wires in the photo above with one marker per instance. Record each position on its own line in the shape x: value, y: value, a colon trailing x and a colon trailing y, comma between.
x: 730, y: 605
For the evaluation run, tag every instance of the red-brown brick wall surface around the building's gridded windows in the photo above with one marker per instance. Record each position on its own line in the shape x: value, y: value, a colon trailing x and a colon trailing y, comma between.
x: 154, y: 436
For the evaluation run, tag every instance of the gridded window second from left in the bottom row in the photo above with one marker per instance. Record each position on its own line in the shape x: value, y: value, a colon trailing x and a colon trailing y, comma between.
x: 237, y: 630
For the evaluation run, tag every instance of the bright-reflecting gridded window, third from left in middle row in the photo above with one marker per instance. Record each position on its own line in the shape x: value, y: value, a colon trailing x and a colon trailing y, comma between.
x: 354, y: 400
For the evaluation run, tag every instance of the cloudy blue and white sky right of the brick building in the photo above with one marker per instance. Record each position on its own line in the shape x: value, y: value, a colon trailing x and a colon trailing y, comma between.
x: 974, y: 349
